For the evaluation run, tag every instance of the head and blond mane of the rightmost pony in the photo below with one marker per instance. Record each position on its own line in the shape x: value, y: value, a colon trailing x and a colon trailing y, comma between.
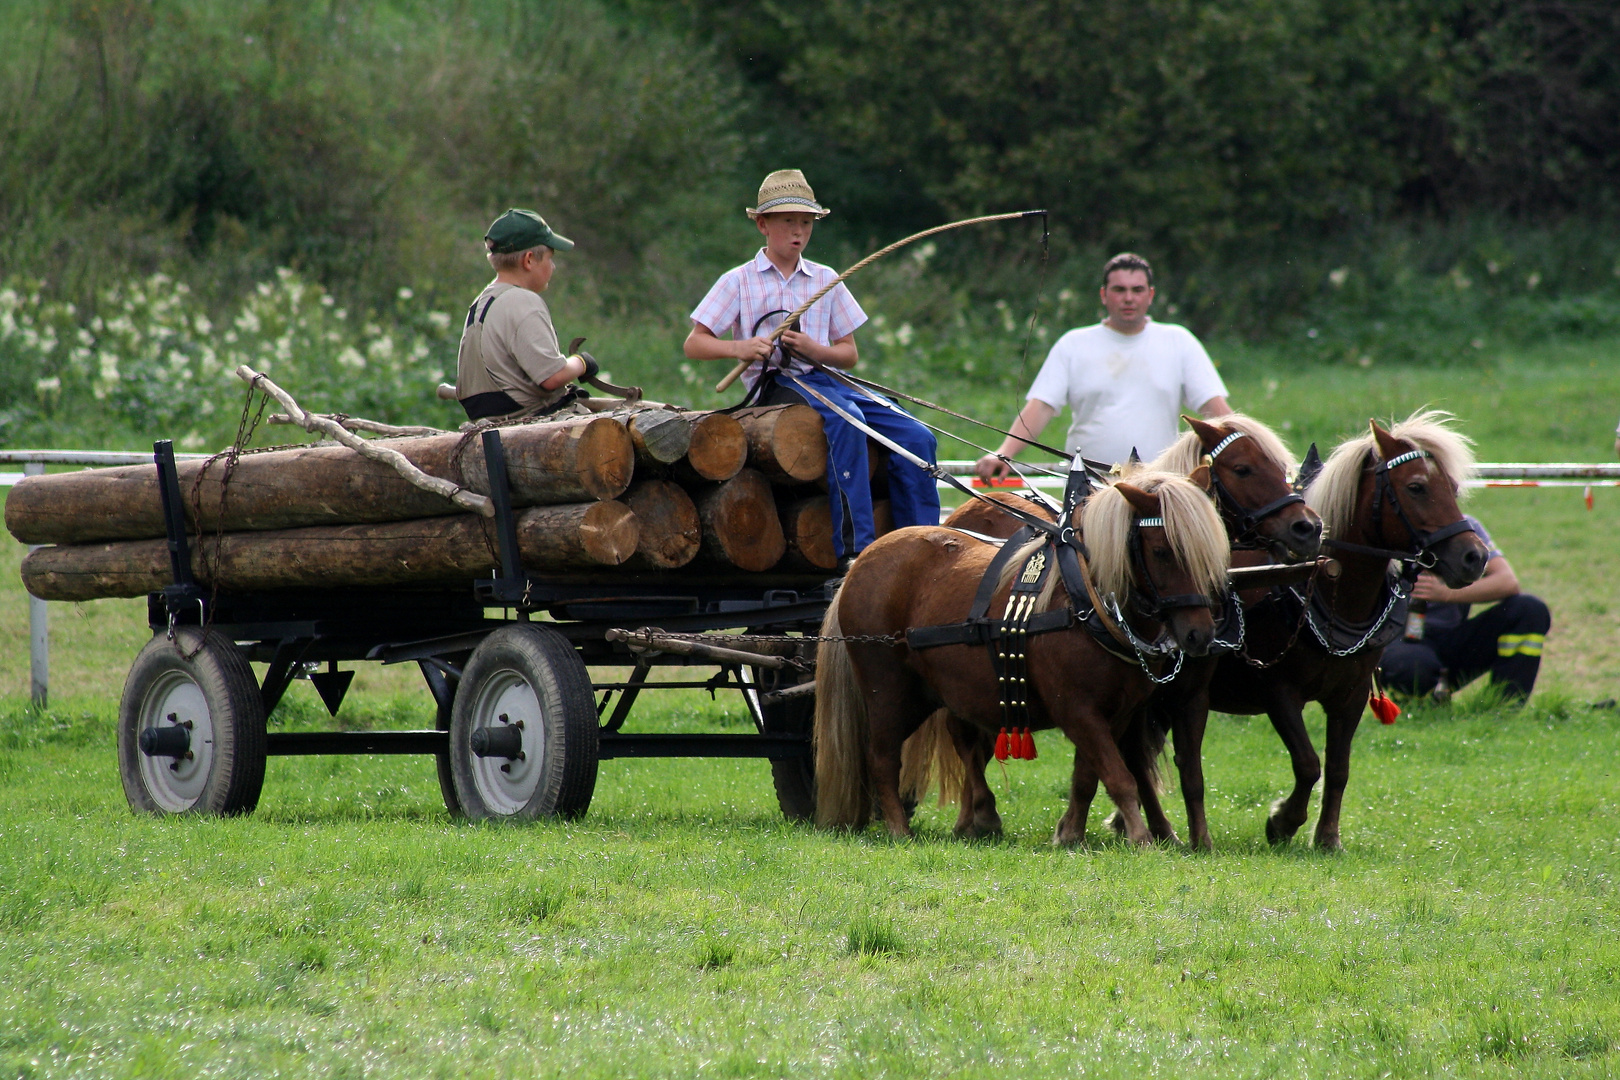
x: 1420, y: 493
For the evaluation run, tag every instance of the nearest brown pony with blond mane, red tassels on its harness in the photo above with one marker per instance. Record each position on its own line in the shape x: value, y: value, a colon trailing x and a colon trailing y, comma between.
x: 874, y: 694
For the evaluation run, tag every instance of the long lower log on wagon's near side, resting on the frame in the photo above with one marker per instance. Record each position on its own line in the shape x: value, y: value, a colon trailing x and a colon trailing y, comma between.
x: 394, y: 553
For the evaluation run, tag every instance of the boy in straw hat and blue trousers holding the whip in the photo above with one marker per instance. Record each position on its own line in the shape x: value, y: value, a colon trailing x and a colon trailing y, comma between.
x: 751, y: 300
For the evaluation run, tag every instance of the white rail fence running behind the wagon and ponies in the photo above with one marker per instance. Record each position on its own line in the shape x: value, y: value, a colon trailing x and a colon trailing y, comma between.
x: 35, y: 462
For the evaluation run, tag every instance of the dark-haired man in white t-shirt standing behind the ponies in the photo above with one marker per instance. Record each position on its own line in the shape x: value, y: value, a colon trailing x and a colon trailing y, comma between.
x: 1125, y: 380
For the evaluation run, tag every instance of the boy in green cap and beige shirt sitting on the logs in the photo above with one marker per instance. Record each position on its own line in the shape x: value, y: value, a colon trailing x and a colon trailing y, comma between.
x: 509, y: 359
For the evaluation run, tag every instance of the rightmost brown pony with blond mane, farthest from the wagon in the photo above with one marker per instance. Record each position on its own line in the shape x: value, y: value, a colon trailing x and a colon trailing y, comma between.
x: 1381, y: 496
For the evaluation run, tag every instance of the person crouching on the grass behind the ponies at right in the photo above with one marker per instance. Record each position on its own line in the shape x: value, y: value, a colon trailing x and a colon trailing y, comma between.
x: 1504, y: 640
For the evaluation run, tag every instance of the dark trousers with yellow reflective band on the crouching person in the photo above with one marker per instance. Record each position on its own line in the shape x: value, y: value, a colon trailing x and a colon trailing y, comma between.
x: 1504, y: 640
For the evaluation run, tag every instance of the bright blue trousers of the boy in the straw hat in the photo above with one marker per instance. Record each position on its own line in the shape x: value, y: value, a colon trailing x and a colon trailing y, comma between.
x: 914, y: 500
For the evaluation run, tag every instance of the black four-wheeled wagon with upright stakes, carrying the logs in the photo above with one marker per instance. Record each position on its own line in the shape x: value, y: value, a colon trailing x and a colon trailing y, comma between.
x: 521, y: 723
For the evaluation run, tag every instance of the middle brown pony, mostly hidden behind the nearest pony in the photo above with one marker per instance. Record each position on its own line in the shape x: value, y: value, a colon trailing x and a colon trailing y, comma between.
x: 1251, y: 488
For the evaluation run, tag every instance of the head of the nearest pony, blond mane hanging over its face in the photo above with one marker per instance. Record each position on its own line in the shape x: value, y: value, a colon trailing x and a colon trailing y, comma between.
x: 1183, y: 550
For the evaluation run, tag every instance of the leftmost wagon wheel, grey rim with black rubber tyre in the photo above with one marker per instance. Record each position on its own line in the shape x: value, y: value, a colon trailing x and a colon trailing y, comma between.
x: 192, y: 728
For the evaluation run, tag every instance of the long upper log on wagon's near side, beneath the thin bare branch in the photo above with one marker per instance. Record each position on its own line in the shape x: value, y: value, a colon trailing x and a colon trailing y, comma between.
x: 563, y: 462
